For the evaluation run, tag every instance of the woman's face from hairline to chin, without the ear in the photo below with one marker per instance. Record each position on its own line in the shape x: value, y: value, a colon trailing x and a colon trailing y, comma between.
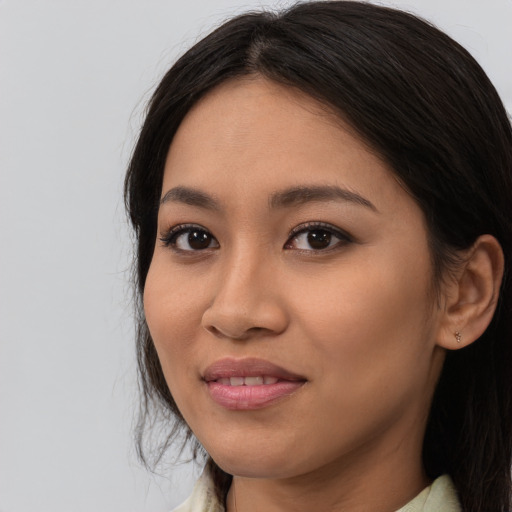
x: 290, y: 292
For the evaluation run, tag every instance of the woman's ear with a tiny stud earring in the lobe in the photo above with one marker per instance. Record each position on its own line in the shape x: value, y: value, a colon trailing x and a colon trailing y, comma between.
x: 471, y: 296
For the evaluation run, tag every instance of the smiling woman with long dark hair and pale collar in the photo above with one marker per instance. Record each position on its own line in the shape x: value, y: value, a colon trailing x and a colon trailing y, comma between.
x: 321, y: 200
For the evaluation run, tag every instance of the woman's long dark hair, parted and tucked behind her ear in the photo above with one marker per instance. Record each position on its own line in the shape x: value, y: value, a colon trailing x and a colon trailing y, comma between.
x: 427, y: 108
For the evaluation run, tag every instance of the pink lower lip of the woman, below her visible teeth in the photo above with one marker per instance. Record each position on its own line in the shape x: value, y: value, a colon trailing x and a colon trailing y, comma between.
x: 247, y: 398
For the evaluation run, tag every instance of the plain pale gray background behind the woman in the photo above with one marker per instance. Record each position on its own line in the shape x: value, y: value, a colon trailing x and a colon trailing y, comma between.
x: 74, y: 77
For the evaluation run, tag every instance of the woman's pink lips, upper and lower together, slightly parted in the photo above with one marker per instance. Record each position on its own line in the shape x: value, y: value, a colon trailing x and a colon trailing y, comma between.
x: 249, y: 397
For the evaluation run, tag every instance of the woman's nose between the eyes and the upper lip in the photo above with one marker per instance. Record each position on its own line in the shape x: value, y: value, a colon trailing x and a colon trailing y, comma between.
x: 246, y: 302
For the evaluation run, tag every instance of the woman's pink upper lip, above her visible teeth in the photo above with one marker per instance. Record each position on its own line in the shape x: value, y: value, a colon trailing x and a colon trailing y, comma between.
x: 247, y: 367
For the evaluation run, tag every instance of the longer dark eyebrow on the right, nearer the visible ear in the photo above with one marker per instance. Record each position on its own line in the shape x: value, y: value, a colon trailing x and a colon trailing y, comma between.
x: 305, y: 194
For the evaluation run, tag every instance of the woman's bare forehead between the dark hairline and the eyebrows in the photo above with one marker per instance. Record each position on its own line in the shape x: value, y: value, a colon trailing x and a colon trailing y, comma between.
x: 253, y: 135
